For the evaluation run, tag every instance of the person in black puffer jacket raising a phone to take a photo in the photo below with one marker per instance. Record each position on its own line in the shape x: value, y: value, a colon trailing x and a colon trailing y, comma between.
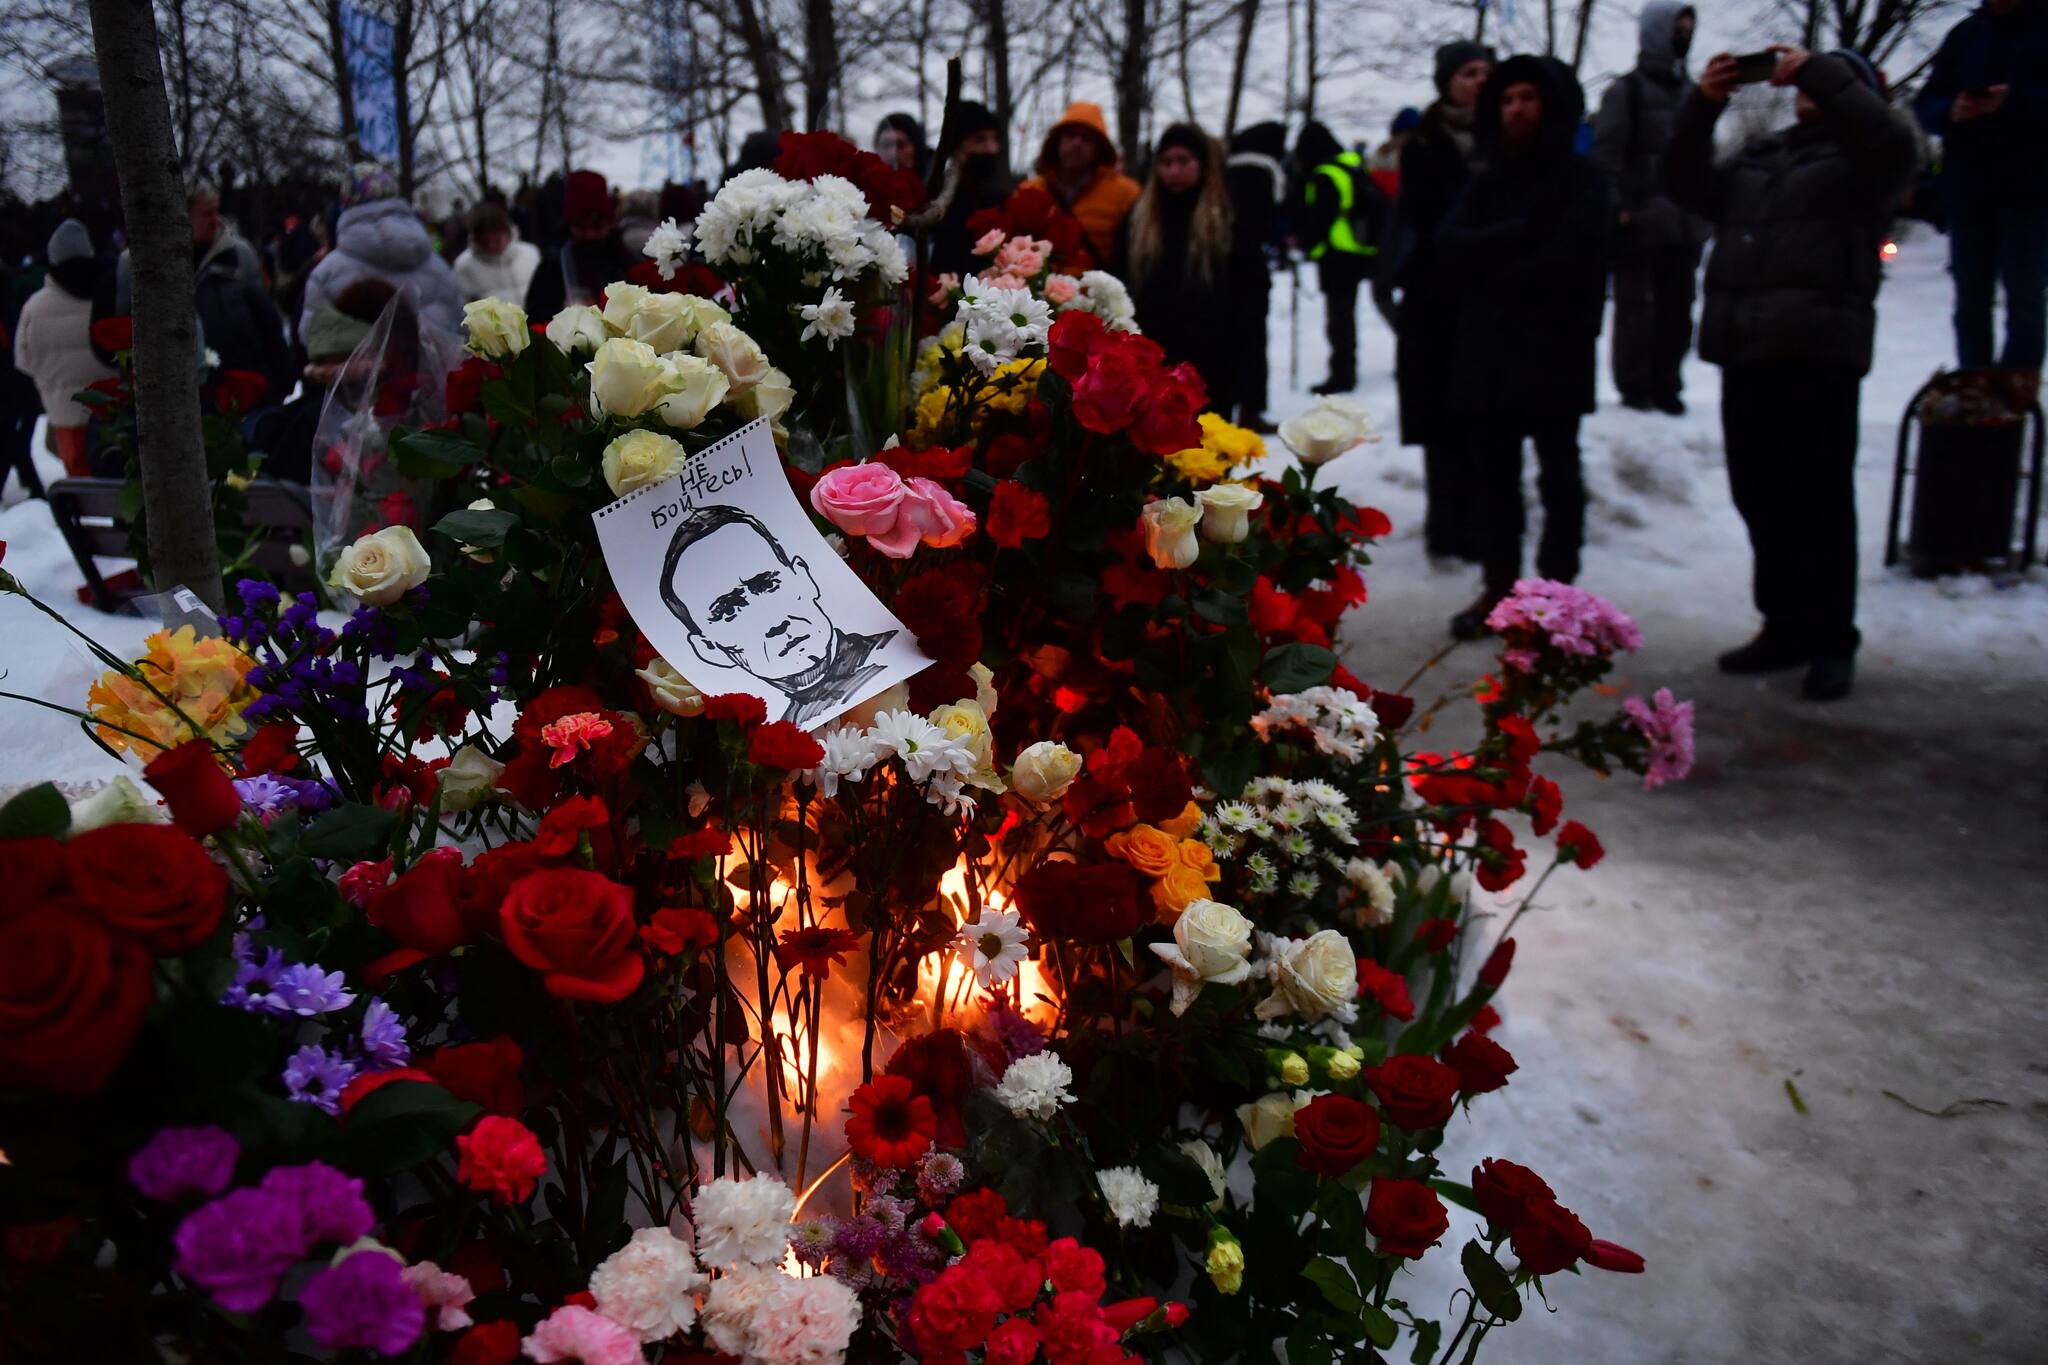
x: 1791, y: 314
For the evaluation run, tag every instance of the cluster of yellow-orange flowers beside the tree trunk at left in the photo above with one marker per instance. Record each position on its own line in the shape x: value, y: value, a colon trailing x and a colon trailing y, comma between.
x: 208, y: 680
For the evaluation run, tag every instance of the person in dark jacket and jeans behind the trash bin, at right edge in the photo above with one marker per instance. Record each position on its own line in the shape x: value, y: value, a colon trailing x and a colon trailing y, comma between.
x: 1988, y: 99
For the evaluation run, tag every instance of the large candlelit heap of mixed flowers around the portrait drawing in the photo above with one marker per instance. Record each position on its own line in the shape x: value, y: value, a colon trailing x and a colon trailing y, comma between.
x: 1105, y: 987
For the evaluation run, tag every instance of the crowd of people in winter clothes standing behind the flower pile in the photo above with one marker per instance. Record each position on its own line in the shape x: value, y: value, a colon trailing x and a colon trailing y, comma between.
x: 1492, y: 228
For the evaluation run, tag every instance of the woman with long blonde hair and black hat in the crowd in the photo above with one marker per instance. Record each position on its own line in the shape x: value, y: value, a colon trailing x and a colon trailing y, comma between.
x: 1177, y: 253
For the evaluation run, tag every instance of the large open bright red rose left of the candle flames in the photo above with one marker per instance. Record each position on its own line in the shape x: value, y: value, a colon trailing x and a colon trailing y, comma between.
x: 574, y: 928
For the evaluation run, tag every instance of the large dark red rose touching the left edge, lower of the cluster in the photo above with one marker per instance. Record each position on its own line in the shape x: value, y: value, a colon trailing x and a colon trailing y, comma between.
x: 73, y: 996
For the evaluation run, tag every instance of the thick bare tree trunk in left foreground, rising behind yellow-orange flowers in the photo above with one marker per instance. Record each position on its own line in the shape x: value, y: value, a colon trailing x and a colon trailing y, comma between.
x: 175, y: 490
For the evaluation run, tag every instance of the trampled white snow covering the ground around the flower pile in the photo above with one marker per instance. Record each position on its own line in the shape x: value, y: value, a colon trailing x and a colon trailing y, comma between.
x: 1846, y: 899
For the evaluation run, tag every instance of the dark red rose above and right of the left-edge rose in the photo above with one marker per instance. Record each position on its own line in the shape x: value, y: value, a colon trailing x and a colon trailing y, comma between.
x: 153, y: 883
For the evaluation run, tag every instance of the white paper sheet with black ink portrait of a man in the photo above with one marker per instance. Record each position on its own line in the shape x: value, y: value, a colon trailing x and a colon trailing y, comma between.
x: 726, y: 576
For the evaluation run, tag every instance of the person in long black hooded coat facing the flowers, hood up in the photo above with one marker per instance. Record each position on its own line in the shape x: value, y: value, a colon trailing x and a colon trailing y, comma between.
x: 1529, y: 238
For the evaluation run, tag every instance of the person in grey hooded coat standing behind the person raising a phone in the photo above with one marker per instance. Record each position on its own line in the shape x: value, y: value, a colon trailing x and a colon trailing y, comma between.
x: 1658, y: 245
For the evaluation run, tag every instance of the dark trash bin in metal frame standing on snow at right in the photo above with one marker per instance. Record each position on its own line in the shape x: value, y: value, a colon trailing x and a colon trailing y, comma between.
x: 1967, y: 476
